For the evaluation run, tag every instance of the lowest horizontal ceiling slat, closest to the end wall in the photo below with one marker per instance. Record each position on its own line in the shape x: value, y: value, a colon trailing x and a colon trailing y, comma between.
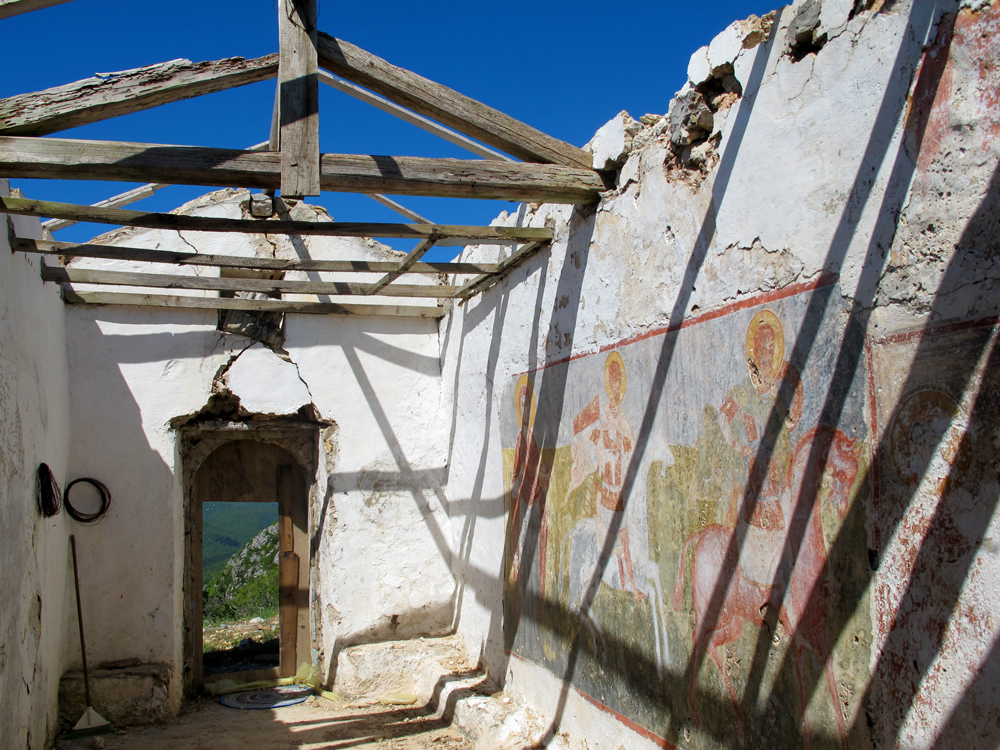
x: 266, y: 305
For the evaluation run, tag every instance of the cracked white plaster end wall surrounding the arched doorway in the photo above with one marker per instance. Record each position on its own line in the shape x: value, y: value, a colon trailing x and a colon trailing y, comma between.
x: 375, y: 381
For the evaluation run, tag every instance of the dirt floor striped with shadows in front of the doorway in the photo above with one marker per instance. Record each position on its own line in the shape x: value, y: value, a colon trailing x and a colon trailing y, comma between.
x: 204, y: 724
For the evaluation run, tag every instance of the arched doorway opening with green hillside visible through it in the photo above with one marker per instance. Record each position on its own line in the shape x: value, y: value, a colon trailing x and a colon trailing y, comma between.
x: 247, y: 585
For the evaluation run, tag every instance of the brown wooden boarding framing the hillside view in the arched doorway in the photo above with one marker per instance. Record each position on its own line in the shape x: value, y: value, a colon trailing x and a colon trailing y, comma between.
x: 250, y: 471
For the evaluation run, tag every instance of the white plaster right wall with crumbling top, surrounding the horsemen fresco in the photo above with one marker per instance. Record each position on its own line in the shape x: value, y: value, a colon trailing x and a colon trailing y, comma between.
x: 870, y: 160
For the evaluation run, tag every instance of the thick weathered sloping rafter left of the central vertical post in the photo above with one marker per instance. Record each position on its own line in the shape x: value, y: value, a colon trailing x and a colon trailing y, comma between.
x: 114, y: 94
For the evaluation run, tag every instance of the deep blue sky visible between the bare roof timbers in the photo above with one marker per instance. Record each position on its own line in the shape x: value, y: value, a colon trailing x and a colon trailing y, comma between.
x: 565, y: 68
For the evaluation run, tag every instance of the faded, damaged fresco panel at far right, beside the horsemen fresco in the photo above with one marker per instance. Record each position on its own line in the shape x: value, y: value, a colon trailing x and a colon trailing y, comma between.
x: 936, y: 401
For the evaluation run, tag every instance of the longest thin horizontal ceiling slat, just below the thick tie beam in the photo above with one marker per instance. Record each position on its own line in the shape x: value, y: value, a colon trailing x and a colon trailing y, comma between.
x: 178, y: 222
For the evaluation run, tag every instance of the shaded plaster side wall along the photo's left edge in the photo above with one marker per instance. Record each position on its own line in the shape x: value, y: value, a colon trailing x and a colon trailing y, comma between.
x: 35, y: 587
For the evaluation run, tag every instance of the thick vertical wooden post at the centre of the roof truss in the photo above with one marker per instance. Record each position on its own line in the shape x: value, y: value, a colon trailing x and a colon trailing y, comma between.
x: 299, y: 98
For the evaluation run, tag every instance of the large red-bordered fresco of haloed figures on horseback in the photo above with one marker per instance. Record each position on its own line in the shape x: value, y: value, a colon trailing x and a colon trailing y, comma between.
x: 638, y: 494
